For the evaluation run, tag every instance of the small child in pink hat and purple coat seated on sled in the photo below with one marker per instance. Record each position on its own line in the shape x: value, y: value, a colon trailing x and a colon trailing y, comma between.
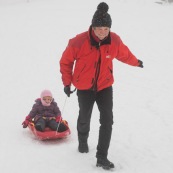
x: 45, y: 113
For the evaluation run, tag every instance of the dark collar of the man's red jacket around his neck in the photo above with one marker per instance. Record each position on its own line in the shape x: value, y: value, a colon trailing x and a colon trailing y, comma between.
x: 96, y: 43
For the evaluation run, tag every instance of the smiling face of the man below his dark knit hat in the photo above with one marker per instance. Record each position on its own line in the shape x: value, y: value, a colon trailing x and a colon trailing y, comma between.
x: 101, y: 32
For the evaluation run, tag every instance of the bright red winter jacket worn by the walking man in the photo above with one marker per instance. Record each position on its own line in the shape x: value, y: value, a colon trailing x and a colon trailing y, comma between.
x: 87, y: 64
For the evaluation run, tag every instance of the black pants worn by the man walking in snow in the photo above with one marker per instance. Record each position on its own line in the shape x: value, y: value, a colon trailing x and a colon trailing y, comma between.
x: 104, y: 100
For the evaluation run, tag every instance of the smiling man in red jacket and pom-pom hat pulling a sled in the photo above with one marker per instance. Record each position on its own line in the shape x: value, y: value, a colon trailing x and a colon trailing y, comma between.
x: 87, y: 64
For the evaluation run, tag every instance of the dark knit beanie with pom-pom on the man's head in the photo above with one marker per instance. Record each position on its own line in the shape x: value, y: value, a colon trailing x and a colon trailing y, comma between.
x: 101, y: 17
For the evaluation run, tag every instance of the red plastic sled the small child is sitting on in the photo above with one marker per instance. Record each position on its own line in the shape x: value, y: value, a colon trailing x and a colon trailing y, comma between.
x: 48, y: 133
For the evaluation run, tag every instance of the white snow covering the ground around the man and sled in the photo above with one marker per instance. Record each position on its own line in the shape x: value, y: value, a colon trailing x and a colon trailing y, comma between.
x: 33, y: 35
